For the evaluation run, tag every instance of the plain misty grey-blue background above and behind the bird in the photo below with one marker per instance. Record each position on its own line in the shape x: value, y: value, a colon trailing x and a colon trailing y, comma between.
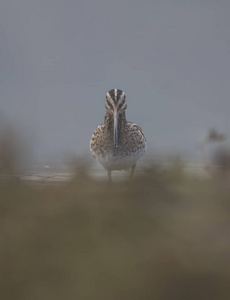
x: 59, y: 58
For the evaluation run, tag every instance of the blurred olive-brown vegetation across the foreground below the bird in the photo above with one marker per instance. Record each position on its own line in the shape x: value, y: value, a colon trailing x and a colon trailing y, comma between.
x: 163, y: 235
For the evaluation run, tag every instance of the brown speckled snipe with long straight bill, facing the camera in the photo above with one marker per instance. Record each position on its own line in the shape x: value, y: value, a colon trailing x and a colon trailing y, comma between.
x: 117, y: 144
